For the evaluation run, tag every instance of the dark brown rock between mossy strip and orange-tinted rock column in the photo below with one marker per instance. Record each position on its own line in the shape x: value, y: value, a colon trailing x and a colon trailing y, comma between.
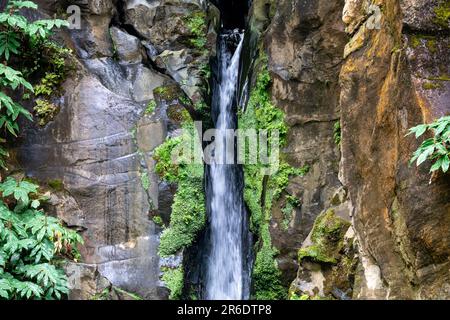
x: 305, y: 43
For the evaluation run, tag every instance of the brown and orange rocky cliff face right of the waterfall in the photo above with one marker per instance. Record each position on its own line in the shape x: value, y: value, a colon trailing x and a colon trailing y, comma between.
x: 391, y: 75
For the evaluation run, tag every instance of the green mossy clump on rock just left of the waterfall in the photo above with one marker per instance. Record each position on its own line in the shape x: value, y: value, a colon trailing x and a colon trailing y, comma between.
x: 175, y: 165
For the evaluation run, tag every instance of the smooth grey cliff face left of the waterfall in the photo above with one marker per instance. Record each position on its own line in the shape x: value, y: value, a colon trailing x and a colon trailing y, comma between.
x: 96, y: 156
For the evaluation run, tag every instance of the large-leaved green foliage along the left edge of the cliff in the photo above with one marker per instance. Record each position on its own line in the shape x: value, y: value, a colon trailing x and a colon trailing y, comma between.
x: 32, y: 244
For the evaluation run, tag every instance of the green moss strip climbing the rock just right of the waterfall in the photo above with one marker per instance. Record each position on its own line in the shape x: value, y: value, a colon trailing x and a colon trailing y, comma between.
x: 261, y: 189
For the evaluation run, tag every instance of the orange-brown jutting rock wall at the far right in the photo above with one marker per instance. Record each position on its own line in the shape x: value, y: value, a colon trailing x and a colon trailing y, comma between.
x: 401, y: 220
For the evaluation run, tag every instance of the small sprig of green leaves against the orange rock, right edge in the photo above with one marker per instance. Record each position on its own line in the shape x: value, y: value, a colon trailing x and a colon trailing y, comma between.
x: 437, y: 148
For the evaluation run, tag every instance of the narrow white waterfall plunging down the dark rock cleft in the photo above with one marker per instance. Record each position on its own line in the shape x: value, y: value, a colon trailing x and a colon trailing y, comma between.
x: 226, y: 274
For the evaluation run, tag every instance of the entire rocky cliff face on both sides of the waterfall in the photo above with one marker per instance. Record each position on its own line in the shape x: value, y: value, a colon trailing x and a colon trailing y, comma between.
x: 351, y: 77
